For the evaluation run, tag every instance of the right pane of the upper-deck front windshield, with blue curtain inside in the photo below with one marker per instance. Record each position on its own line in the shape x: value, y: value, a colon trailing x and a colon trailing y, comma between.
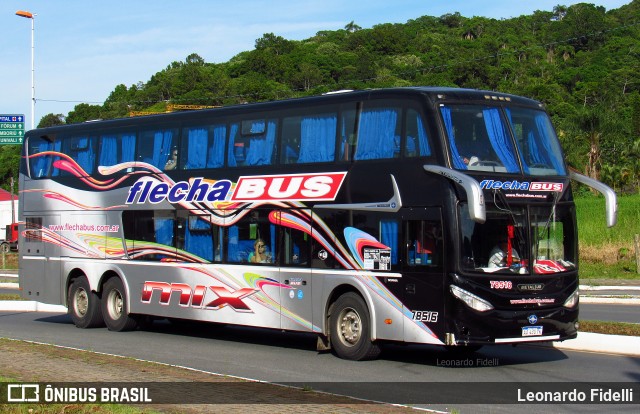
x: 537, y: 142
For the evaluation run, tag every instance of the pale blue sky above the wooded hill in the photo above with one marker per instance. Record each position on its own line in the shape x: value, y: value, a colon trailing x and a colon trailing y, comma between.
x: 84, y: 48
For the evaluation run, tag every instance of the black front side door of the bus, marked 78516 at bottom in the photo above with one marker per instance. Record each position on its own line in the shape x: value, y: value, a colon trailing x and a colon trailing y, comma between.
x: 422, y: 283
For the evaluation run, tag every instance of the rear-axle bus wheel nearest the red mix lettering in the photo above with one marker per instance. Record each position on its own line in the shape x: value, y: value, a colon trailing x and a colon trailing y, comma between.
x: 114, y: 307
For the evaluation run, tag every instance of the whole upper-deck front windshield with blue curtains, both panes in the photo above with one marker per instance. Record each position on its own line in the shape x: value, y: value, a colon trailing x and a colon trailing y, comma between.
x: 481, y: 138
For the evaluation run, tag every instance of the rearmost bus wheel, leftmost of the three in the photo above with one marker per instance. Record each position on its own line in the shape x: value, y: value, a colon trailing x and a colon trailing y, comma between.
x: 84, y: 304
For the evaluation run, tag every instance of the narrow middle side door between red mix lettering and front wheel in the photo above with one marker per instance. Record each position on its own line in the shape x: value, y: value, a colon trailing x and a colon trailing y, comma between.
x: 296, y: 309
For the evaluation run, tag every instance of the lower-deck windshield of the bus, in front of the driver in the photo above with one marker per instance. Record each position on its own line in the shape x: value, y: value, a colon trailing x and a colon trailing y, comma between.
x: 501, y: 244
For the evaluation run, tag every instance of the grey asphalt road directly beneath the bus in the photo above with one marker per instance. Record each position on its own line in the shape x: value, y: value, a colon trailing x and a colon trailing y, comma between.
x: 402, y: 373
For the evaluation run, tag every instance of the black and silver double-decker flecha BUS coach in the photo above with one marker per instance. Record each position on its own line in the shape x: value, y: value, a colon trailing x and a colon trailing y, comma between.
x: 422, y: 215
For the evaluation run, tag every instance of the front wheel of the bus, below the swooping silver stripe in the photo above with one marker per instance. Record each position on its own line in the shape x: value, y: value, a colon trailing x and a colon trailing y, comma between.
x: 350, y: 329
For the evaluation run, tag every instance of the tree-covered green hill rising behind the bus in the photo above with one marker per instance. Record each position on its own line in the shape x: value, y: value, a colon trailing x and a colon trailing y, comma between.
x: 581, y: 61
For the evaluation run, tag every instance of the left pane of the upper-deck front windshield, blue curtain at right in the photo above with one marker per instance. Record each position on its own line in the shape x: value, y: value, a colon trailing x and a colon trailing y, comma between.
x: 479, y: 138
